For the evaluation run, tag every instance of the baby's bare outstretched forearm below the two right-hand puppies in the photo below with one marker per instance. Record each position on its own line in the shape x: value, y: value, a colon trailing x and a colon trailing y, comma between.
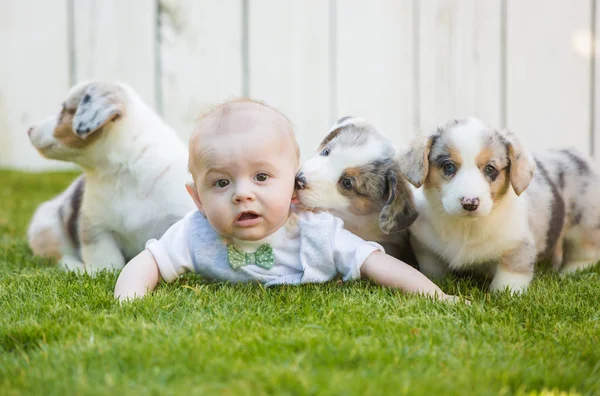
x: 388, y: 271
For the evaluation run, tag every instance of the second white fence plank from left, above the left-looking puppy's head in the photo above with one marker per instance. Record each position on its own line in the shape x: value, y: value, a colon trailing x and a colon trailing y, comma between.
x: 116, y: 39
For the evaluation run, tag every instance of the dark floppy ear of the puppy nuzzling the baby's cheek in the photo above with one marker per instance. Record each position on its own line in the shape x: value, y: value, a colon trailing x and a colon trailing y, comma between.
x: 399, y: 211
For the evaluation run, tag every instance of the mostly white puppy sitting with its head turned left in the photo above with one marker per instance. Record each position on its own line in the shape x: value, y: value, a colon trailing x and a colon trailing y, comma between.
x: 132, y: 187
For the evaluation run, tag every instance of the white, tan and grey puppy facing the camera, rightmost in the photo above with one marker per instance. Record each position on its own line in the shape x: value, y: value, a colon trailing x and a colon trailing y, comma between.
x: 485, y: 202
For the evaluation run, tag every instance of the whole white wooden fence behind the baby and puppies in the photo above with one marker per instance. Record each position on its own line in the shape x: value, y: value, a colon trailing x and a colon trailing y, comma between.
x: 407, y: 65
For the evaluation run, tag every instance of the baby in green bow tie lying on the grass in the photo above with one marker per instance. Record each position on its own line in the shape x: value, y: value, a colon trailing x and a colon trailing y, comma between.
x: 243, y: 160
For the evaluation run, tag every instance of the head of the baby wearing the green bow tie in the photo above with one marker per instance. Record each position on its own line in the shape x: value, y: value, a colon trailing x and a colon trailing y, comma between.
x: 243, y: 159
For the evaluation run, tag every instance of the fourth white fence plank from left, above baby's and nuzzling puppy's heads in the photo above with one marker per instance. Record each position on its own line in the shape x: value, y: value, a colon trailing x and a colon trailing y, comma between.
x: 289, y: 64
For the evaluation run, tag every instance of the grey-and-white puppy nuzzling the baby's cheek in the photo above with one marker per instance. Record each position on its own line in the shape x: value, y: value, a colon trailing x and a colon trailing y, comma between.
x: 356, y: 177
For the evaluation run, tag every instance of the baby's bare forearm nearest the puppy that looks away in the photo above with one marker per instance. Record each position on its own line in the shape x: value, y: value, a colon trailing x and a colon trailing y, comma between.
x: 139, y: 276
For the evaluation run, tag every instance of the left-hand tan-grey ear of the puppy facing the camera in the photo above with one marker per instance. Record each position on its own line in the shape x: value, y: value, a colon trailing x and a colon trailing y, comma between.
x: 414, y: 163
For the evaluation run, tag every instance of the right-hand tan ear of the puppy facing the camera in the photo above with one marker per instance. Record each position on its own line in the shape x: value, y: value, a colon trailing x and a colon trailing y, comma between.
x: 522, y: 164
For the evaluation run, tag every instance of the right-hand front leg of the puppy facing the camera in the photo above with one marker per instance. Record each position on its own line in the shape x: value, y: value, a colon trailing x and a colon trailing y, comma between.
x: 515, y: 270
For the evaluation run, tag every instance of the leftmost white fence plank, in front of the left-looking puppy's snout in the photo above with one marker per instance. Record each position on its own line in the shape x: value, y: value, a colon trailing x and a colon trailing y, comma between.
x: 34, y: 78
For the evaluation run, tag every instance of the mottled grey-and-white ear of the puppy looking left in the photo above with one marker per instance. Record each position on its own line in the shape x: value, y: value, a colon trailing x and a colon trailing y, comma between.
x: 99, y: 105
